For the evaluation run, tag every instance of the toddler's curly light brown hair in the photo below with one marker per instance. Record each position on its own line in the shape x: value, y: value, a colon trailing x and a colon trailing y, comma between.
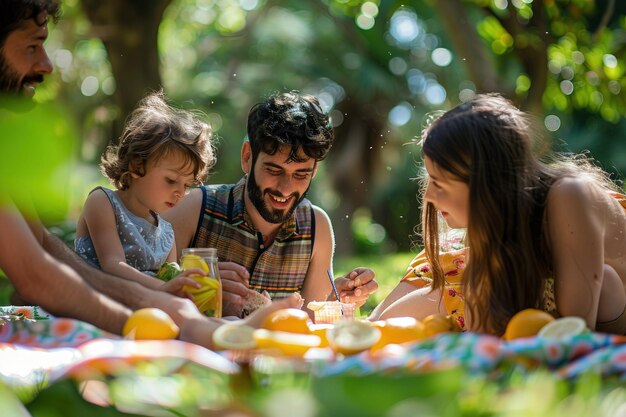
x: 154, y: 130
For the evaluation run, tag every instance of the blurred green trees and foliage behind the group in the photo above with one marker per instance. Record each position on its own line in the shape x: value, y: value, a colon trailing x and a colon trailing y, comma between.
x: 379, y: 67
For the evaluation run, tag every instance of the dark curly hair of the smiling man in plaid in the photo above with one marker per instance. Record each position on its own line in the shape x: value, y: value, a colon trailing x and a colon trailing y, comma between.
x: 293, y: 120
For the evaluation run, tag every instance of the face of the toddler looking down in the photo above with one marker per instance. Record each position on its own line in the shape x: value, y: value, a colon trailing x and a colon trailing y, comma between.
x: 164, y: 184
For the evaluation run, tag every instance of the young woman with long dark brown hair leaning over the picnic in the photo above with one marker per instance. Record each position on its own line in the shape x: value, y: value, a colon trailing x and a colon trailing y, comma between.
x: 541, y: 233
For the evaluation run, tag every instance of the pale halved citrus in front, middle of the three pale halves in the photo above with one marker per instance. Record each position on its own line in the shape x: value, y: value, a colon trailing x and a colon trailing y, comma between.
x: 352, y: 336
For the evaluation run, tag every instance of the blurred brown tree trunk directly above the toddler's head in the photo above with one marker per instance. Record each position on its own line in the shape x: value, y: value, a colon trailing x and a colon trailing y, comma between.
x: 129, y: 30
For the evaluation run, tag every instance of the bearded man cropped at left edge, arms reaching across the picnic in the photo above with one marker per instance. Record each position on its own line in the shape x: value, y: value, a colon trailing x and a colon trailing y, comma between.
x: 43, y: 270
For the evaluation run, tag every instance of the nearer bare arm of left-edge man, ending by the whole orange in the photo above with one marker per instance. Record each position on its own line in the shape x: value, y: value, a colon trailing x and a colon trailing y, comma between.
x: 42, y: 280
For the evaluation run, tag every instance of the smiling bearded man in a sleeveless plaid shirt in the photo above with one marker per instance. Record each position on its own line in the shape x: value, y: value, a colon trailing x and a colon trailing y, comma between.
x: 268, y: 236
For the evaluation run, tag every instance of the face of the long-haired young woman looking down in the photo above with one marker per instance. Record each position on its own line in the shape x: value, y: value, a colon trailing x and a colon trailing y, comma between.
x: 449, y: 195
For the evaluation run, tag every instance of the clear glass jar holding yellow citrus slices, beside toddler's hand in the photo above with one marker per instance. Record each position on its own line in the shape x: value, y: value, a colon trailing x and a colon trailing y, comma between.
x: 208, y: 298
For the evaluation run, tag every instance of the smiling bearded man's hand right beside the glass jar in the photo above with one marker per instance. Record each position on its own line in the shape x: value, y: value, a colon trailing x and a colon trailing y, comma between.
x: 235, y: 288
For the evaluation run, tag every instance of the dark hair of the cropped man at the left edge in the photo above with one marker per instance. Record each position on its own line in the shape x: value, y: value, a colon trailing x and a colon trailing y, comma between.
x: 15, y: 13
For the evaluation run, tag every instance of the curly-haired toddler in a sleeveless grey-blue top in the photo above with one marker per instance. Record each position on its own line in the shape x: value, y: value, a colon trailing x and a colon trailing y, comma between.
x: 162, y: 152
